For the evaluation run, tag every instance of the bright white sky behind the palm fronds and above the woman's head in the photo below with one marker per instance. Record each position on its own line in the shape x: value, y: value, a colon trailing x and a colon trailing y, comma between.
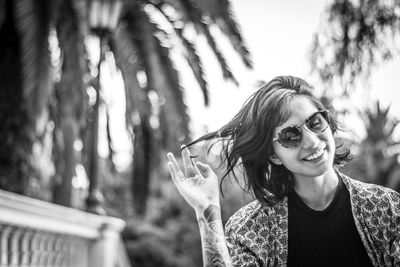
x: 278, y: 35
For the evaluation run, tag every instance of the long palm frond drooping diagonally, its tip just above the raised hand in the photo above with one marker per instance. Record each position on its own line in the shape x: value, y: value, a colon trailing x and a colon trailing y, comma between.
x: 162, y: 77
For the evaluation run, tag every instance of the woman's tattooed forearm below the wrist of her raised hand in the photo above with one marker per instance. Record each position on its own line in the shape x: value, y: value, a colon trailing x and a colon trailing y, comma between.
x: 215, y: 251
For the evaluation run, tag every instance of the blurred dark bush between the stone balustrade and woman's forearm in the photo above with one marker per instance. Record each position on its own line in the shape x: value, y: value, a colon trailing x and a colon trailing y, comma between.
x: 168, y: 237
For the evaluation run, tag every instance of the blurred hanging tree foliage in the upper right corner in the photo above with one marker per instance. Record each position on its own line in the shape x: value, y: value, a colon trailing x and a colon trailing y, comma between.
x: 354, y: 38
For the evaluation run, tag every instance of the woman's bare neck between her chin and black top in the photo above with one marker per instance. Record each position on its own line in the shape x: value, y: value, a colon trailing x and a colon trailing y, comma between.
x: 317, y: 192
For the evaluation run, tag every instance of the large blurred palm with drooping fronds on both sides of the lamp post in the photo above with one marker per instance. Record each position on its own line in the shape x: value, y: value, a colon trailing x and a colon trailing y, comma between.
x: 45, y: 73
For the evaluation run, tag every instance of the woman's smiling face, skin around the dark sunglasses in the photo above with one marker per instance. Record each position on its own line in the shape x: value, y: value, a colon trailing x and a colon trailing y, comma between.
x: 315, y: 152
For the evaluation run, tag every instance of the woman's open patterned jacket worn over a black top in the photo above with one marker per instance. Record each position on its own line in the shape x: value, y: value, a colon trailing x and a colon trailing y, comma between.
x: 257, y: 235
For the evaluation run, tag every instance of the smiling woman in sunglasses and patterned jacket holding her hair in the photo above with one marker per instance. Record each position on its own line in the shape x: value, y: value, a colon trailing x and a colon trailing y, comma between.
x: 306, y: 213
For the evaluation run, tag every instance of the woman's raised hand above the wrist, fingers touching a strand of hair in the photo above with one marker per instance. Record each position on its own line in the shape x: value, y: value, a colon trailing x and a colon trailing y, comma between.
x: 197, y: 183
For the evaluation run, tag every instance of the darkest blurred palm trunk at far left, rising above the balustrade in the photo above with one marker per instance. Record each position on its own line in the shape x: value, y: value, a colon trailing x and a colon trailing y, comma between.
x: 26, y: 83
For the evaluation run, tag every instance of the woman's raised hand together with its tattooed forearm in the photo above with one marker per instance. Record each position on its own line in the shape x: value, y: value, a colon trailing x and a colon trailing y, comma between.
x: 198, y: 184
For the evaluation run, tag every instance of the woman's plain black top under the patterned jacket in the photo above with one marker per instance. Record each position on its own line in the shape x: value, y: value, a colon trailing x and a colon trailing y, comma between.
x: 324, y: 238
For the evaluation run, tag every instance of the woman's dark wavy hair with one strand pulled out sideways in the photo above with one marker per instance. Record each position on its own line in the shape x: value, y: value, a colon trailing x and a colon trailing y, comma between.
x: 247, y: 138
